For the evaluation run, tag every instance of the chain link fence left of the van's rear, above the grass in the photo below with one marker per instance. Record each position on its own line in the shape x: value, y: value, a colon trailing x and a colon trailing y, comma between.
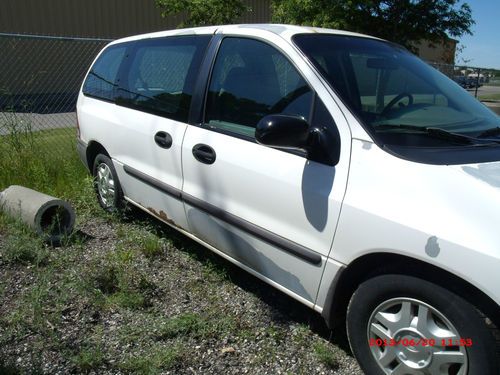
x: 39, y: 83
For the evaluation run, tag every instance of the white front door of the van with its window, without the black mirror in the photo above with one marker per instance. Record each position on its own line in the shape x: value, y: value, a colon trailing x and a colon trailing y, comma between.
x: 274, y: 212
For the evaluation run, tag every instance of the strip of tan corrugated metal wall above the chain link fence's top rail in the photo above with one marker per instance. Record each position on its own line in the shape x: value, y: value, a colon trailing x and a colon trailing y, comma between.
x: 98, y: 18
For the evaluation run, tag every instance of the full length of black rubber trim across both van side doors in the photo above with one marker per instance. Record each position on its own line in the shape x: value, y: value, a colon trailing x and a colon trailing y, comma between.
x: 256, y: 231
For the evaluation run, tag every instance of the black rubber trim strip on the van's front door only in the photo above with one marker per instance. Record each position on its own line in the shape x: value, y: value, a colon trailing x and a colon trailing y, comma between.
x: 271, y: 238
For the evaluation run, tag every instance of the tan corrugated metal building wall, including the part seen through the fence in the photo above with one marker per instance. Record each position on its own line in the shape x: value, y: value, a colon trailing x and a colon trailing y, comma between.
x: 36, y: 73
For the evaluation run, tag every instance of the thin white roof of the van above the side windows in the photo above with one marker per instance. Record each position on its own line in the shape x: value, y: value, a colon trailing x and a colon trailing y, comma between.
x: 283, y: 30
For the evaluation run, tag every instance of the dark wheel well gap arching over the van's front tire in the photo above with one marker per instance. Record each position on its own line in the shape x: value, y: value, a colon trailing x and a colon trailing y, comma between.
x: 372, y: 265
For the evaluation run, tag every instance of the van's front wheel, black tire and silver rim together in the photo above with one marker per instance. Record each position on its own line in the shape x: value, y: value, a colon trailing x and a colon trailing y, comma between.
x: 400, y: 309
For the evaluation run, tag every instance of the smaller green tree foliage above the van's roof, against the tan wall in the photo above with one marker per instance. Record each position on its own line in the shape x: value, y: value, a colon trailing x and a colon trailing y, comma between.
x: 203, y: 12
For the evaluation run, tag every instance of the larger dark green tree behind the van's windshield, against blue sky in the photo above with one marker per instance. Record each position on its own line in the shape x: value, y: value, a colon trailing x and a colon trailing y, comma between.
x: 401, y: 21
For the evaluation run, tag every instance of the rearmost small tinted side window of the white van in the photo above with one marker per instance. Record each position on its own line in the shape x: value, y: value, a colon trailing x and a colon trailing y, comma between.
x: 101, y: 80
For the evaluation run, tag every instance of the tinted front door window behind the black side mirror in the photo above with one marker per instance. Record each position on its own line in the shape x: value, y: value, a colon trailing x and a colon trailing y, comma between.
x: 250, y: 80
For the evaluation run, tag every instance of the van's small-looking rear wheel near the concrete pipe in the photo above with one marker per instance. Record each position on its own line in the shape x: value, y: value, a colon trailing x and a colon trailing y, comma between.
x: 106, y: 184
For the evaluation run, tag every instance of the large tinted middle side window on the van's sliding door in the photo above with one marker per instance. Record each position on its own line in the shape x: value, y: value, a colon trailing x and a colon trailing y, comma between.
x: 161, y: 75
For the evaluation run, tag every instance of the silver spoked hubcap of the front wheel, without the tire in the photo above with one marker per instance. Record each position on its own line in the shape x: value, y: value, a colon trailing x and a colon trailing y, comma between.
x: 408, y: 336
